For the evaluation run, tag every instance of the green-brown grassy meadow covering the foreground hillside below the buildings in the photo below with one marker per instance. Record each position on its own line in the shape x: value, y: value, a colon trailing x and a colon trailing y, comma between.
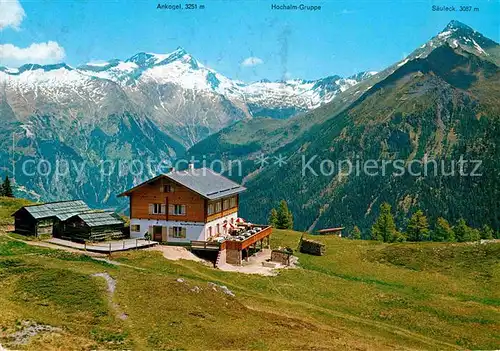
x: 361, y: 295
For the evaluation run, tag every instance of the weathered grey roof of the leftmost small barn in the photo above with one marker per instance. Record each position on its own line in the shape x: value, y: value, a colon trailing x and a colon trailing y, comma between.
x: 62, y: 210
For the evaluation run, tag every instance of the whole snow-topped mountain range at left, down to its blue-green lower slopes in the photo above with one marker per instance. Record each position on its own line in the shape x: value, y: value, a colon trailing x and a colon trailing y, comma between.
x: 117, y: 113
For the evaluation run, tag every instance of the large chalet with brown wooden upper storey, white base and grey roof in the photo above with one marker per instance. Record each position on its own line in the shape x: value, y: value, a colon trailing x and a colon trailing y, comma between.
x: 183, y: 206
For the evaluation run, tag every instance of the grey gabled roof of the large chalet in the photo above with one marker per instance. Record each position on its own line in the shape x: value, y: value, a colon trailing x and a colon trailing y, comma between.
x: 209, y: 184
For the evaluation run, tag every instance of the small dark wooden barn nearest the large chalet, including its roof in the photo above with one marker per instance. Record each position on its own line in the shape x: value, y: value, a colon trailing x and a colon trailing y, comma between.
x: 94, y: 226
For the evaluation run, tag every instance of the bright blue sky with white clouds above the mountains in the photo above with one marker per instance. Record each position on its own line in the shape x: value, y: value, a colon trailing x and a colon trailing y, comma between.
x: 241, y: 39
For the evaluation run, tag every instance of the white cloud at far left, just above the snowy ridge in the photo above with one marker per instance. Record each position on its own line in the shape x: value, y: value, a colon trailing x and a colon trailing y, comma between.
x: 42, y: 53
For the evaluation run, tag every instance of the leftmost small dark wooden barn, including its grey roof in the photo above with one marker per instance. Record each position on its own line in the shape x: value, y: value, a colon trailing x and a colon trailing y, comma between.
x: 46, y: 219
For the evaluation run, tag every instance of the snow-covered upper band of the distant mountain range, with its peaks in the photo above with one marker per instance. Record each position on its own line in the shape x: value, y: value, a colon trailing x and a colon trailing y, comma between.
x: 156, y: 81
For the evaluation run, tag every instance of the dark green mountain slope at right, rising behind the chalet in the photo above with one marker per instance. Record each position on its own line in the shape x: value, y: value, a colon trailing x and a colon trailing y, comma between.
x: 441, y: 105
